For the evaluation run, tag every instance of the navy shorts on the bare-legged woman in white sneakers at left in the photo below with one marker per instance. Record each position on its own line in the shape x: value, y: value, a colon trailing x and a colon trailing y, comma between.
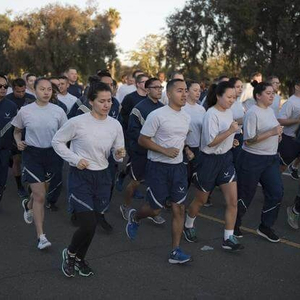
x: 40, y: 164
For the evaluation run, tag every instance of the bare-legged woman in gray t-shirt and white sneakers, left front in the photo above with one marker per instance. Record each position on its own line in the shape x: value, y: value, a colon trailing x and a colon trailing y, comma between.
x: 41, y: 120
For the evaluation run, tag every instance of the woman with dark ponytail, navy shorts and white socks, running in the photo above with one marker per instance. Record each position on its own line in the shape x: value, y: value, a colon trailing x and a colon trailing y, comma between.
x: 216, y: 164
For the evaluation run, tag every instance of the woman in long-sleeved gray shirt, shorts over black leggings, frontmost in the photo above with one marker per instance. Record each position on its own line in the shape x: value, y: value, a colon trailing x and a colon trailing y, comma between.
x: 93, y: 136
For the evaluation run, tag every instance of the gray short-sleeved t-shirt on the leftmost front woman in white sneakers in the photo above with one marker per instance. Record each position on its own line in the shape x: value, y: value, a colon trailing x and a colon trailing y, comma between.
x: 40, y: 122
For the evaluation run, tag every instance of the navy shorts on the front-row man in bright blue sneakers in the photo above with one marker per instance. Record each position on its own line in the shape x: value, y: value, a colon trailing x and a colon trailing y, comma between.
x: 165, y: 181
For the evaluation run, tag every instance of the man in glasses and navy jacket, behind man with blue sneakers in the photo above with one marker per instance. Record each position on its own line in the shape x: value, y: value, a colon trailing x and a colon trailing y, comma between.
x: 138, y: 154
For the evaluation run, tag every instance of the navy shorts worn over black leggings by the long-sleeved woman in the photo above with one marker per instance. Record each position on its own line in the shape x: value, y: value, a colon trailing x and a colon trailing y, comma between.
x: 88, y: 190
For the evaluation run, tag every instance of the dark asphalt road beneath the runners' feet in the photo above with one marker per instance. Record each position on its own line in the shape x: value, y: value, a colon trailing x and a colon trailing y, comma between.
x: 139, y: 269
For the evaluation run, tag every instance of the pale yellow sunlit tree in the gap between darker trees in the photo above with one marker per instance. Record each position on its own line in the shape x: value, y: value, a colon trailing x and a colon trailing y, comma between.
x: 150, y: 54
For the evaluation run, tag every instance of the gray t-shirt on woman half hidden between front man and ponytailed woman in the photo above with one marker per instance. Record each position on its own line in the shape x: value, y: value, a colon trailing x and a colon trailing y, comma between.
x: 196, y: 112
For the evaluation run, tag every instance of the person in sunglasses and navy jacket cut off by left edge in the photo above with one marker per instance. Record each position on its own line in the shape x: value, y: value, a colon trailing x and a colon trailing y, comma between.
x: 8, y: 110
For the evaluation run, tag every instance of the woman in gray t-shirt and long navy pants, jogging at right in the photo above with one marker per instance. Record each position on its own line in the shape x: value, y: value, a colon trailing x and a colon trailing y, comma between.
x: 259, y: 162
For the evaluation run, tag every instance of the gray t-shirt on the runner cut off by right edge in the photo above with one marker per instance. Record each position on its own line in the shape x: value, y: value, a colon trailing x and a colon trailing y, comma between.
x: 290, y: 110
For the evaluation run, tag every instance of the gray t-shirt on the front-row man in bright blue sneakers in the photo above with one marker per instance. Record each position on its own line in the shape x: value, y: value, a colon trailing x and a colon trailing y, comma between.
x: 167, y: 128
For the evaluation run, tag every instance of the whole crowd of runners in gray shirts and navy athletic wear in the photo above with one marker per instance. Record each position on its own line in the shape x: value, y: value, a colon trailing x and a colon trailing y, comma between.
x: 170, y: 135
